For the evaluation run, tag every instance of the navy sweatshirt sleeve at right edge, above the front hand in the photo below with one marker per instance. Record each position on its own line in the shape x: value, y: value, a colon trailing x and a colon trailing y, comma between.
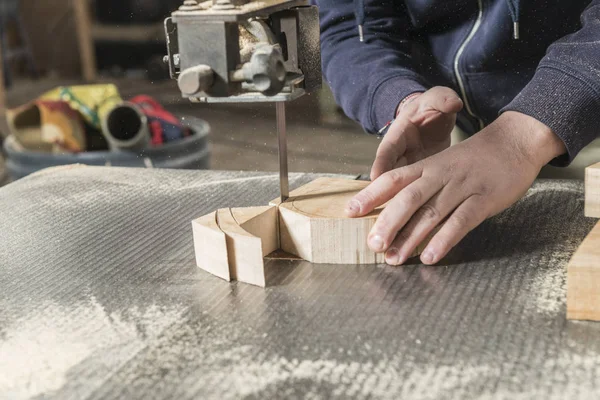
x: 564, y: 93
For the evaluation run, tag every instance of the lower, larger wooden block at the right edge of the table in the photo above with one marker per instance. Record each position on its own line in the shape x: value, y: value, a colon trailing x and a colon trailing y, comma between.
x: 583, y: 279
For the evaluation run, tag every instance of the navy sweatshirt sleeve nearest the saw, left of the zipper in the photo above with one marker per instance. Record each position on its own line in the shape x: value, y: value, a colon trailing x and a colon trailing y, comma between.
x: 369, y: 78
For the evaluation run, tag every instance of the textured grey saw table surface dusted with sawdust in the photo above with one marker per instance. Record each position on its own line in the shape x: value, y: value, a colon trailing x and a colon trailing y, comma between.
x: 100, y: 298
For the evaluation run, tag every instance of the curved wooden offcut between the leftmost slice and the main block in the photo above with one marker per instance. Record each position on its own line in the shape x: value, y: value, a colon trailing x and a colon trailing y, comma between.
x: 249, y: 241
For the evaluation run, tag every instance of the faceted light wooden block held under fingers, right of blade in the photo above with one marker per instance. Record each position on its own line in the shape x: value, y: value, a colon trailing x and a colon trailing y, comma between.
x: 313, y: 224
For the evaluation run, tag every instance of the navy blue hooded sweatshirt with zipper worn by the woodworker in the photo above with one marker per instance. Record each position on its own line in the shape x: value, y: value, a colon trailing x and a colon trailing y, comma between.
x: 540, y: 58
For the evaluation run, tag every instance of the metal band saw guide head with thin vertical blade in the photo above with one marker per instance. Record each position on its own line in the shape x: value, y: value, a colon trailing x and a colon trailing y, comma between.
x: 229, y: 51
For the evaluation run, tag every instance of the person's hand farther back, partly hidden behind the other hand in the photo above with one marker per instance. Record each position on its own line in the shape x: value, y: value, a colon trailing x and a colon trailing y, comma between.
x: 422, y: 128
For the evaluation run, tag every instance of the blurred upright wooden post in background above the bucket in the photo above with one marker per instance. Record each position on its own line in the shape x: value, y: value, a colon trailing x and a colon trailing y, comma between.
x: 83, y: 27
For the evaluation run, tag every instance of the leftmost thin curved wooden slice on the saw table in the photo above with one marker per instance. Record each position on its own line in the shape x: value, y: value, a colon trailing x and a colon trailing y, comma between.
x: 210, y: 246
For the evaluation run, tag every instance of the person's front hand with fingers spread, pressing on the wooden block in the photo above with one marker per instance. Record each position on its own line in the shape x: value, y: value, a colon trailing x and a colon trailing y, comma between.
x: 462, y: 186
